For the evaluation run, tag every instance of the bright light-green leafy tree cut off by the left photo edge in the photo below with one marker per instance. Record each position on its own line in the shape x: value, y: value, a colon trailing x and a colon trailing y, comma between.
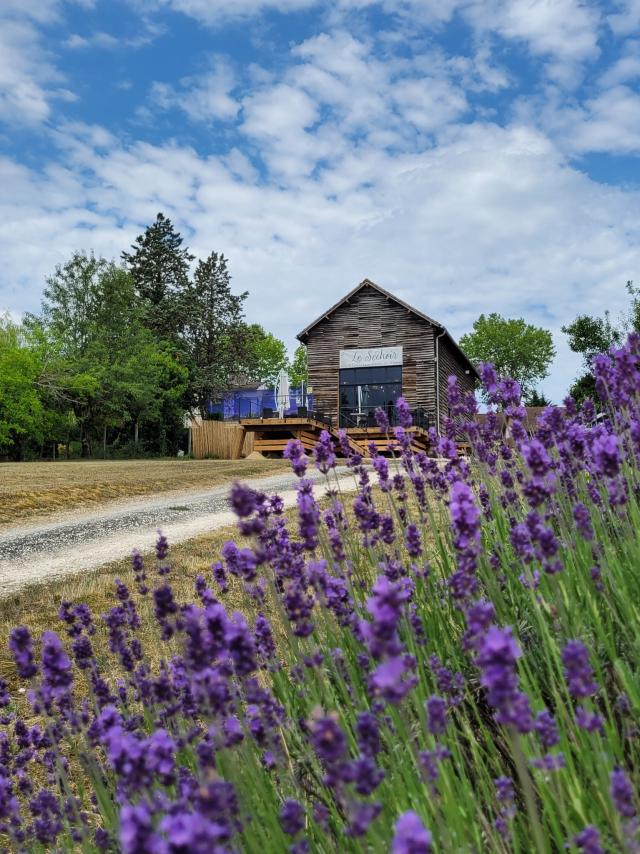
x: 21, y: 410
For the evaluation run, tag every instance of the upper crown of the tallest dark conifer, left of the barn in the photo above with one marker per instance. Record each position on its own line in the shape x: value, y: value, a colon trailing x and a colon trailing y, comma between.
x: 159, y: 266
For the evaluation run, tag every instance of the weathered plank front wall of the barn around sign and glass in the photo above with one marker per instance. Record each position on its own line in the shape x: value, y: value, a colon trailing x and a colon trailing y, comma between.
x: 369, y: 319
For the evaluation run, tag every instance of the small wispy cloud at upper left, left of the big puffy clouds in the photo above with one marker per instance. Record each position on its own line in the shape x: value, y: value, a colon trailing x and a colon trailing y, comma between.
x: 205, y: 97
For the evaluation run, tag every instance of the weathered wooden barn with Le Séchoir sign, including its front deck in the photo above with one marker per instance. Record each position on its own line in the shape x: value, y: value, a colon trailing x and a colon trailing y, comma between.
x: 363, y: 353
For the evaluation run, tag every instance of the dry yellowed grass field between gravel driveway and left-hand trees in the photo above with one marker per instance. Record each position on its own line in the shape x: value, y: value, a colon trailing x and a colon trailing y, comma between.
x: 29, y: 490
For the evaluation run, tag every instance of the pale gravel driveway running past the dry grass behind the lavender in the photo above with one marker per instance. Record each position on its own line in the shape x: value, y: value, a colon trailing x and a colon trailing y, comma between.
x: 82, y: 541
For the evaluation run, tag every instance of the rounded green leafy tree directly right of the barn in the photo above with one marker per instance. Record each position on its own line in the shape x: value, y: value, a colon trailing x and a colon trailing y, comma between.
x: 515, y: 348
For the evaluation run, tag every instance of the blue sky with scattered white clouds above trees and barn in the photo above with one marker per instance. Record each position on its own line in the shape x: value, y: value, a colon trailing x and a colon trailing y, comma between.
x: 468, y: 155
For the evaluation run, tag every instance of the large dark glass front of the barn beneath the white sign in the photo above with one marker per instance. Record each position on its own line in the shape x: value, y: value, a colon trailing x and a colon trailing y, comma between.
x: 363, y: 390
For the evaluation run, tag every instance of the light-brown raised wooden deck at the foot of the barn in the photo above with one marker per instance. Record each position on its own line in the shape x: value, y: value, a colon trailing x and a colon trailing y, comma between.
x: 272, y: 434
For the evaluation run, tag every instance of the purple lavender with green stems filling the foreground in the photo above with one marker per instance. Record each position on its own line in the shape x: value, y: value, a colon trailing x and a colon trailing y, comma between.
x: 448, y: 662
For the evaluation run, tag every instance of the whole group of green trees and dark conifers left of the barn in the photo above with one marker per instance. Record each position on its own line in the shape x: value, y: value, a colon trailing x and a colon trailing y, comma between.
x: 119, y: 352
